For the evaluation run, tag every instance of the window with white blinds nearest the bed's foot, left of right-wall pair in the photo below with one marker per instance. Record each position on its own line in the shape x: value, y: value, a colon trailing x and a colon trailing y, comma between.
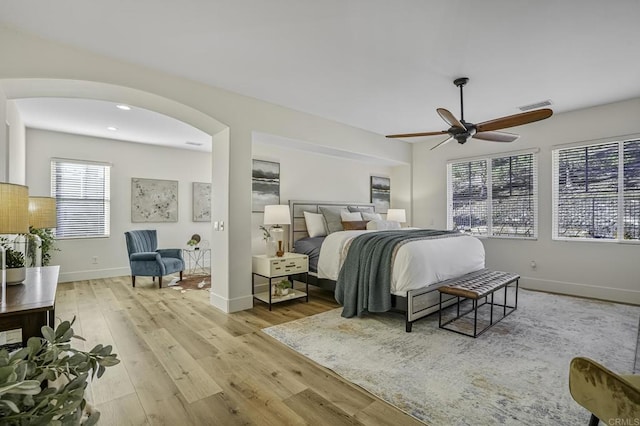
x: 495, y: 196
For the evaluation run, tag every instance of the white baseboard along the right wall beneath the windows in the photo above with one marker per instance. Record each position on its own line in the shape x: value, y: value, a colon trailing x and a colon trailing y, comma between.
x: 583, y: 290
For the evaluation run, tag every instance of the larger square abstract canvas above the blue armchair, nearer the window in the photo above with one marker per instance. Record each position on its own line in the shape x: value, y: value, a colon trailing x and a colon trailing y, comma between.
x: 154, y: 200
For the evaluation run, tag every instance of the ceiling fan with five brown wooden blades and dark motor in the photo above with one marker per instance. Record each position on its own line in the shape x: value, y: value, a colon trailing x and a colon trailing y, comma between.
x: 461, y: 130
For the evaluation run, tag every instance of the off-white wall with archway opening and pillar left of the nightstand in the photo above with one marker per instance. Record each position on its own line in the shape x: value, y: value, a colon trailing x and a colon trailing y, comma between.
x: 25, y: 56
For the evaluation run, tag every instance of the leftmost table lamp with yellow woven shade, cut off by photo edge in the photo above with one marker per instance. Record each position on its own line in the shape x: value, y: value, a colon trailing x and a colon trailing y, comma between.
x: 14, y: 219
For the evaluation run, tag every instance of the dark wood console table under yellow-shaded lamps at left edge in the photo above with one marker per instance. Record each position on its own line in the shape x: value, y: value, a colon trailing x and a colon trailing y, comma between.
x: 31, y: 305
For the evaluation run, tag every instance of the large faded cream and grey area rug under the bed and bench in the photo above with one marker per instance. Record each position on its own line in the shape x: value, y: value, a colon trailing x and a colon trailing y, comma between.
x: 514, y: 374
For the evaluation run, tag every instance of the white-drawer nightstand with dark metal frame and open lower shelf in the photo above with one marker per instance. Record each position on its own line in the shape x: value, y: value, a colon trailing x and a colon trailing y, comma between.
x: 278, y: 267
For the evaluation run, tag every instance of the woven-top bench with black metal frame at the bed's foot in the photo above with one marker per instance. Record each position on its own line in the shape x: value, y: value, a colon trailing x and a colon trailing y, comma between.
x: 474, y: 286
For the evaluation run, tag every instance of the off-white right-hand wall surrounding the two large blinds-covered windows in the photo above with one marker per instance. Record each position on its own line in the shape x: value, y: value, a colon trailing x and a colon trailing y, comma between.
x: 599, y: 269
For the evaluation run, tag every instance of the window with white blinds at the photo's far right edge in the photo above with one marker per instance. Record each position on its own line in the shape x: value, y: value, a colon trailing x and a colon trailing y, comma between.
x: 596, y: 191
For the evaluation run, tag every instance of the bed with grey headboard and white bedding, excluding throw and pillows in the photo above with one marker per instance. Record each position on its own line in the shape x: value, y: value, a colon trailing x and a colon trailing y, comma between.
x: 419, y: 266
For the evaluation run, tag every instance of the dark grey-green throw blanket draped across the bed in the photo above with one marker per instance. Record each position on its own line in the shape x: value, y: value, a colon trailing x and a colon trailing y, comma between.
x: 364, y: 282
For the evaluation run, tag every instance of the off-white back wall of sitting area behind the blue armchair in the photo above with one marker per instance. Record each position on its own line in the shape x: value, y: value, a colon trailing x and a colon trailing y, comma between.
x: 128, y: 160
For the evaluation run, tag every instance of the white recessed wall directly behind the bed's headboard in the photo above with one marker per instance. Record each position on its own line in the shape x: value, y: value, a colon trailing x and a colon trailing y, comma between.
x: 311, y: 176
